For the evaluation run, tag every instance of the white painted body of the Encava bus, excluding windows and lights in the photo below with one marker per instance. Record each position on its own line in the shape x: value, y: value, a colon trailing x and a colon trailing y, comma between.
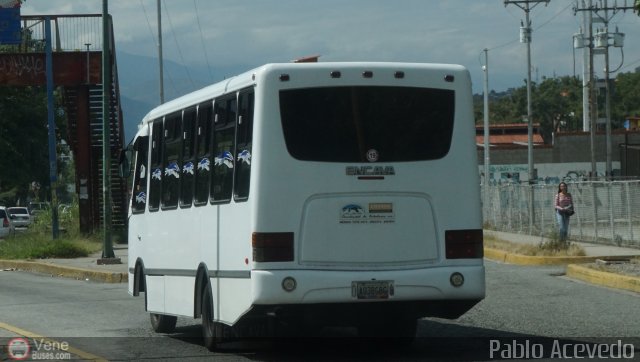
x: 346, y: 228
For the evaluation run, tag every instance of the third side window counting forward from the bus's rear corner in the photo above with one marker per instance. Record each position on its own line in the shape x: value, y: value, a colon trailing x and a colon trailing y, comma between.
x: 203, y: 133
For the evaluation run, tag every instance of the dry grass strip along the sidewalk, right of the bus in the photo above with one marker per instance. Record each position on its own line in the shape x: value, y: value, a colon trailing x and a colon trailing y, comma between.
x: 550, y: 248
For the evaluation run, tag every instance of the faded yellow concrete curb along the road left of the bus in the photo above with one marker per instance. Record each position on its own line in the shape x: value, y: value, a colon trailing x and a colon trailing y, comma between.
x: 65, y: 271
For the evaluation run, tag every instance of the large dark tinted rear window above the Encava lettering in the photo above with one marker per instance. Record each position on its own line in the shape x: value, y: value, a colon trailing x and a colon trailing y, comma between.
x: 344, y: 124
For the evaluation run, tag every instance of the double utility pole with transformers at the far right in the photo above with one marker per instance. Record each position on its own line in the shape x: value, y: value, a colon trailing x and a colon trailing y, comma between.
x: 599, y: 44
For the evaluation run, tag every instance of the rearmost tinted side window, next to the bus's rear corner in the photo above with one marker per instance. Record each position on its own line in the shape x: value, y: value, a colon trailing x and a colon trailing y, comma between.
x: 243, y: 148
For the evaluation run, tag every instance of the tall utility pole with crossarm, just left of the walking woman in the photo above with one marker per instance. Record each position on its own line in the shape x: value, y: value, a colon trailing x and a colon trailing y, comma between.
x: 525, y: 37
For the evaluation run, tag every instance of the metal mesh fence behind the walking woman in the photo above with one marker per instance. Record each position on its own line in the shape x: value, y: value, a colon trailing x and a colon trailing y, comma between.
x: 607, y: 212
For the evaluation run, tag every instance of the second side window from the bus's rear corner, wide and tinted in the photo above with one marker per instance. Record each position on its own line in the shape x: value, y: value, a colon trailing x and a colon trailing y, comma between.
x: 225, y: 110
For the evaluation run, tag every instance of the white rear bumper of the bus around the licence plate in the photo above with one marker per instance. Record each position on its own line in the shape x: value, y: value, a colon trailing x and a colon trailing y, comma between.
x: 426, y: 292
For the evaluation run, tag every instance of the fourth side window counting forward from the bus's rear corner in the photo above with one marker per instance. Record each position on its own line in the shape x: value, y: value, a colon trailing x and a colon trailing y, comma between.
x: 188, y: 157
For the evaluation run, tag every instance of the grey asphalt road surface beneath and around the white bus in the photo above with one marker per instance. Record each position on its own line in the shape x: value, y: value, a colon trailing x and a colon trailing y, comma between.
x: 536, y: 305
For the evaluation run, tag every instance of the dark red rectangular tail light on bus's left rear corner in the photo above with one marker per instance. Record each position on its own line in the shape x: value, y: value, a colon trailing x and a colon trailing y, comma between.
x: 271, y: 247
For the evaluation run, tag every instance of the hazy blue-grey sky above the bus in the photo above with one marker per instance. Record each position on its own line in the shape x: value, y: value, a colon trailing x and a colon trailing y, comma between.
x: 226, y: 33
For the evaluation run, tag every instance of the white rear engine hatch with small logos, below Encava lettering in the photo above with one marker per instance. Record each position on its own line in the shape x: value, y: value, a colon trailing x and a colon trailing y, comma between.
x: 370, y: 230
